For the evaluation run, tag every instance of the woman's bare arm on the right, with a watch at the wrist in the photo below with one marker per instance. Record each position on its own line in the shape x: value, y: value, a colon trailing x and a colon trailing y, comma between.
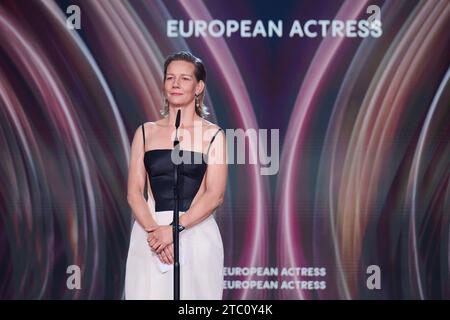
x: 216, y: 179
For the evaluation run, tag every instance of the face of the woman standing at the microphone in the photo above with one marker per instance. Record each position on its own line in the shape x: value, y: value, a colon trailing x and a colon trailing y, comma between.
x: 180, y: 84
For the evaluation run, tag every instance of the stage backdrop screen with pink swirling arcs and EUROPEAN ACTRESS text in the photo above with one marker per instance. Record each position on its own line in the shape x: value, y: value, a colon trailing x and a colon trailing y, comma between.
x: 336, y: 116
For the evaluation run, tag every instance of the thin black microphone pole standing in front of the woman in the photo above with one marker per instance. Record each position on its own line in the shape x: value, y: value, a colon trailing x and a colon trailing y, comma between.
x: 176, y: 243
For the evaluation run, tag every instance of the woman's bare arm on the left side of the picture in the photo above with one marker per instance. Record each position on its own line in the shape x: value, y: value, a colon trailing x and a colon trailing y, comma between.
x: 136, y: 182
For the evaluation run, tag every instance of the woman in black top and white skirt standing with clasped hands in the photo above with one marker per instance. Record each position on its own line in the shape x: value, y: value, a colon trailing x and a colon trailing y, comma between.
x: 149, y: 271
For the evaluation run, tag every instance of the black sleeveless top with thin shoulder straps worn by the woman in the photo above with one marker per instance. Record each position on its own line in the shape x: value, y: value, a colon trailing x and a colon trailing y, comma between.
x: 160, y: 168
